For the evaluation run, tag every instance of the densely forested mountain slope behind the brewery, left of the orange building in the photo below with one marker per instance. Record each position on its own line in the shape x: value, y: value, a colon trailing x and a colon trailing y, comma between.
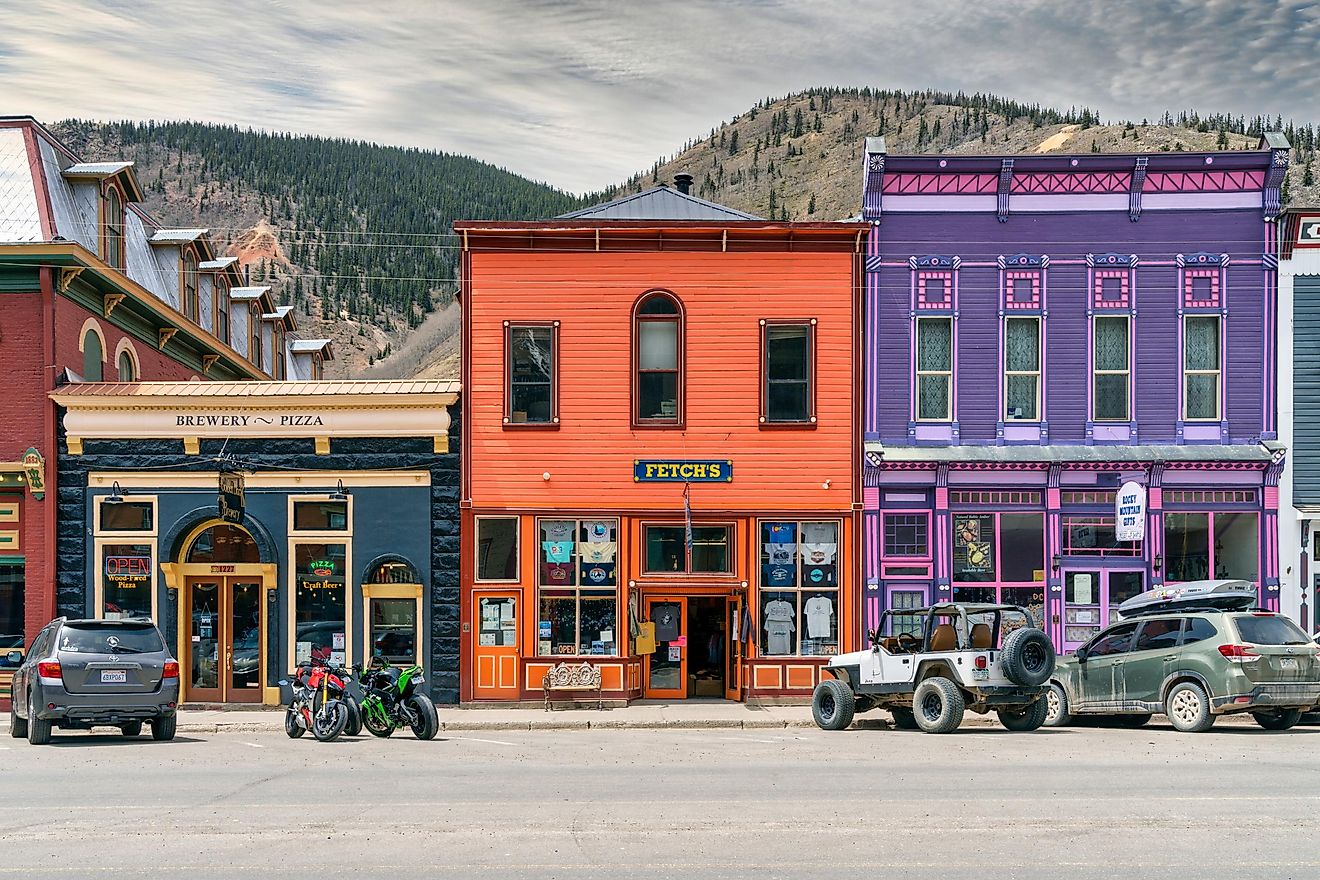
x: 356, y: 236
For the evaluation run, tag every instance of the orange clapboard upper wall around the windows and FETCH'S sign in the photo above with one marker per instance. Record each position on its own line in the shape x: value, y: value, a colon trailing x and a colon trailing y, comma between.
x: 592, y: 452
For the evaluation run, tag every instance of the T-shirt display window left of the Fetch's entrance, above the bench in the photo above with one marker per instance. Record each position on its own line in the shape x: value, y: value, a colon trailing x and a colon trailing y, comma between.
x: 579, y: 596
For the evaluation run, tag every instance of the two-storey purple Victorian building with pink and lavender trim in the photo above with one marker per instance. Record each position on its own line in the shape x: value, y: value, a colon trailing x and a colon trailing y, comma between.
x: 1043, y: 330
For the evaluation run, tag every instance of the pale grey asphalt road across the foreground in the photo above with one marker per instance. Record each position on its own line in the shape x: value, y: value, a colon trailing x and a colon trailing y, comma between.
x: 981, y: 804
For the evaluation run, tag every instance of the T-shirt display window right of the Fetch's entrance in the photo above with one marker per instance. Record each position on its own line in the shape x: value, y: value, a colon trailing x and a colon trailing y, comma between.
x: 799, y: 588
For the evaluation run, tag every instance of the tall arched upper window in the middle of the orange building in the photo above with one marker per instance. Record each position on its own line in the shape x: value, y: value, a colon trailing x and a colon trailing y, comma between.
x: 658, y: 361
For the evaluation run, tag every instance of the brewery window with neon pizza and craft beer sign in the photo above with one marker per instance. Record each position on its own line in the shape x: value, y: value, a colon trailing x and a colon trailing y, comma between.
x: 320, y: 610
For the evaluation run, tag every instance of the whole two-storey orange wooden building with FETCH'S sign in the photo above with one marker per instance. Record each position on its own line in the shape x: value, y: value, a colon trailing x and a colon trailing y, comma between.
x: 661, y: 427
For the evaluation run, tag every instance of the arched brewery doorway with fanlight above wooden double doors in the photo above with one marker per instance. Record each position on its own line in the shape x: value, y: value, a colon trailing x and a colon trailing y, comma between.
x: 224, y: 615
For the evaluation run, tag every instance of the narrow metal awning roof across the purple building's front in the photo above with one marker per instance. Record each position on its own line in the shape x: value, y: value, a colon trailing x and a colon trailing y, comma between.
x: 1066, y: 455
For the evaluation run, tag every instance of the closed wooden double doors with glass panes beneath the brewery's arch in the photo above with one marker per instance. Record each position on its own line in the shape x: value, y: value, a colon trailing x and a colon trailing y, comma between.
x: 225, y: 641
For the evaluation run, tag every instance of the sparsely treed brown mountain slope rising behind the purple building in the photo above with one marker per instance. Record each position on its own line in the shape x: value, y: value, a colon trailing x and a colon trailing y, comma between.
x: 799, y: 158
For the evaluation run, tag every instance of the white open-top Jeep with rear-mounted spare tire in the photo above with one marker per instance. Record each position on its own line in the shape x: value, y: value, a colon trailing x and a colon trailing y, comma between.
x: 960, y: 656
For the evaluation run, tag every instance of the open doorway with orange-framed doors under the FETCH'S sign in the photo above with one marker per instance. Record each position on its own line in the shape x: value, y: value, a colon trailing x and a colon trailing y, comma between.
x: 699, y: 648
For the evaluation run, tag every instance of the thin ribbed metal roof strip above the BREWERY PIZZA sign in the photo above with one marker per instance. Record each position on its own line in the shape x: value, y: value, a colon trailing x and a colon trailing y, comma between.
x: 261, y: 389
